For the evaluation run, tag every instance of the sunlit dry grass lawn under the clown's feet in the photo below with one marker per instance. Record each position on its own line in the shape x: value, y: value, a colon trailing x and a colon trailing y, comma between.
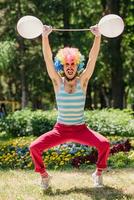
x: 66, y: 185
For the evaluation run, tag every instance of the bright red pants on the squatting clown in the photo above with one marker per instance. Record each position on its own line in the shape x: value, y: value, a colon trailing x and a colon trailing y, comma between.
x: 69, y: 133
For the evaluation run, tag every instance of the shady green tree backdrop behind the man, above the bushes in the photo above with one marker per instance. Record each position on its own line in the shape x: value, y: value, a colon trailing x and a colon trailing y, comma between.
x: 23, y: 62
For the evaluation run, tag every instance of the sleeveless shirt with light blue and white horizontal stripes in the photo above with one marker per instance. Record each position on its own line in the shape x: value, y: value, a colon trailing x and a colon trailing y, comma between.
x: 70, y: 106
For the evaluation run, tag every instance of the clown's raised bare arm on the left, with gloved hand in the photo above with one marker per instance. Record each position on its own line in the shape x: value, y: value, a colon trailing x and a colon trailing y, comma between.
x: 47, y: 53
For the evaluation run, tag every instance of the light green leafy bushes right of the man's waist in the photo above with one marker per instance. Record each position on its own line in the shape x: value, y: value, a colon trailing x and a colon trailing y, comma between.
x: 111, y: 122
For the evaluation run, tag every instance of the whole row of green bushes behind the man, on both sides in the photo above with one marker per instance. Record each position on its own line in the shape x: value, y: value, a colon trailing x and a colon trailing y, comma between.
x: 107, y: 122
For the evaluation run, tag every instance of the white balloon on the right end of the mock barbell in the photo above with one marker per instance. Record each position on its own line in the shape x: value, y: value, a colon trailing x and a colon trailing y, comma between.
x: 111, y: 25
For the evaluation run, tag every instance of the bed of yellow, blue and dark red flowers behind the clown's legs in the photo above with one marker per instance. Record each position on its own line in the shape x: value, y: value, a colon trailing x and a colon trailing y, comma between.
x: 15, y: 154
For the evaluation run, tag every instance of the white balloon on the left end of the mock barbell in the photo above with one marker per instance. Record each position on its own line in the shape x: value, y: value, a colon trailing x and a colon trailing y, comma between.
x: 29, y: 27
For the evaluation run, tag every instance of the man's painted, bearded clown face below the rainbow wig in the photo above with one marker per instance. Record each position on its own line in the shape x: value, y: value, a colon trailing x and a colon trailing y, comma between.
x: 70, y: 67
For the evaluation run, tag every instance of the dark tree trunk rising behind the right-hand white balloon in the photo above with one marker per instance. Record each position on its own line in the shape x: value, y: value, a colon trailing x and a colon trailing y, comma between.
x: 114, y: 48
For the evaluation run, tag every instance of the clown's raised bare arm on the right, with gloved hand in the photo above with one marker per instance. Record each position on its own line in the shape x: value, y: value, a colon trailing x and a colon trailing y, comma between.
x: 93, y: 54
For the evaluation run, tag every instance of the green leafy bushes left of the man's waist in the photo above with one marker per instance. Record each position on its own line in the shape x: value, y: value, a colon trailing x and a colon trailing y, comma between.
x: 27, y: 122
